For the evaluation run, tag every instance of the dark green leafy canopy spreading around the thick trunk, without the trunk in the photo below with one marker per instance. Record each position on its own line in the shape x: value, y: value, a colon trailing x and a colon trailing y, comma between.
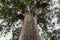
x: 12, y: 11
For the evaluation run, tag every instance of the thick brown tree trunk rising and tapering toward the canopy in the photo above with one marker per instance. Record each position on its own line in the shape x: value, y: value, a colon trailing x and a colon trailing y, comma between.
x: 29, y: 30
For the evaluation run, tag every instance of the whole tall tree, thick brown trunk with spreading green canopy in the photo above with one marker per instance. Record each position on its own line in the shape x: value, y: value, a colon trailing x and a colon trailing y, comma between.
x: 31, y: 13
